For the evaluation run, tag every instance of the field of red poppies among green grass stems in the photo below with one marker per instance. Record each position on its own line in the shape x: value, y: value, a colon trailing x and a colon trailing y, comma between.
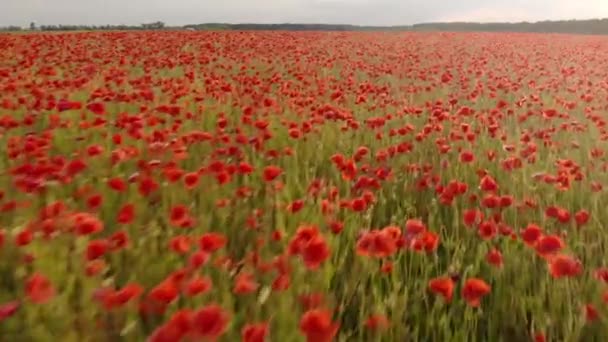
x: 303, y: 186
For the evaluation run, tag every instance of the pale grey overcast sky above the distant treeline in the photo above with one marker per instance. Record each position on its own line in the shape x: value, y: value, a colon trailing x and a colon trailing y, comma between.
x: 364, y: 12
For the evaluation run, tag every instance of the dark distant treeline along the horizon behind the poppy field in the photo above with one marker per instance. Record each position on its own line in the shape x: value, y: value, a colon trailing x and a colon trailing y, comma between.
x: 593, y: 26
